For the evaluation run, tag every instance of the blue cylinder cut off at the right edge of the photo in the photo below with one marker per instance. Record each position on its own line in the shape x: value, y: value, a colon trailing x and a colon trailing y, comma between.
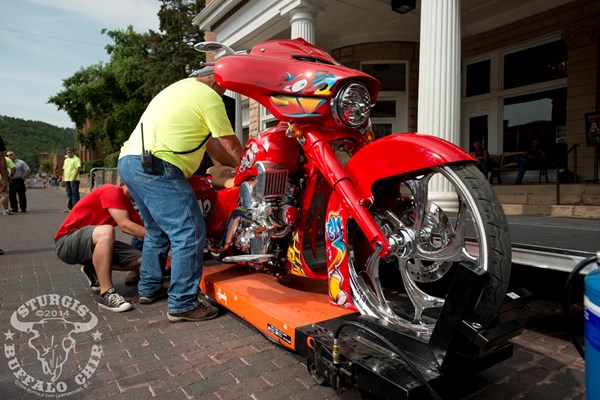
x: 592, y: 335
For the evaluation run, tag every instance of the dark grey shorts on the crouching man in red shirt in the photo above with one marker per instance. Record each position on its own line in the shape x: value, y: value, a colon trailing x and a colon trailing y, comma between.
x: 76, y: 248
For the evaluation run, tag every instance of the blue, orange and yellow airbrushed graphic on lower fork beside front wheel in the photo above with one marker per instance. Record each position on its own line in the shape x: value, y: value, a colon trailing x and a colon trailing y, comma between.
x: 335, y: 235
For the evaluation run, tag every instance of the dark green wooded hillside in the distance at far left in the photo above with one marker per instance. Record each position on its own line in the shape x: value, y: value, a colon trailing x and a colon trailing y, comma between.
x: 30, y: 138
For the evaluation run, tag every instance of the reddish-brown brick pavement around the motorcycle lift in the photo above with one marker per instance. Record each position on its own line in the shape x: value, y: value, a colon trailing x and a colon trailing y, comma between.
x: 143, y: 356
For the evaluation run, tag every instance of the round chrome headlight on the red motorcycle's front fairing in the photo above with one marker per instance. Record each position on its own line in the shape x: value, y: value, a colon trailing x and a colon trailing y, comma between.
x: 352, y: 105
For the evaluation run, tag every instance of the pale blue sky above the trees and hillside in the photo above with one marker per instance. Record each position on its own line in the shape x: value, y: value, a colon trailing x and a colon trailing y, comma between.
x: 43, y: 42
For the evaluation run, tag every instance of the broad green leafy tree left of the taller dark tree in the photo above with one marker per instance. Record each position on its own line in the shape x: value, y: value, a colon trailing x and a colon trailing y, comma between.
x: 105, y: 100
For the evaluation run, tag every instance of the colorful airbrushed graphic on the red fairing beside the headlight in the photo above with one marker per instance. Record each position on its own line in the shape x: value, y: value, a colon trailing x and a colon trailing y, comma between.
x: 318, y: 83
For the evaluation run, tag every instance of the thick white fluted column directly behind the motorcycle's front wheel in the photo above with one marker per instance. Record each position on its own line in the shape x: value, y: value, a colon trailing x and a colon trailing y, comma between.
x: 439, y: 80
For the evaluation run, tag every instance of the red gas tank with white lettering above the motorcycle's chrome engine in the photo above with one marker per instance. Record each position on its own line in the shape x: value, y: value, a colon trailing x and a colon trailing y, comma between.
x: 270, y: 145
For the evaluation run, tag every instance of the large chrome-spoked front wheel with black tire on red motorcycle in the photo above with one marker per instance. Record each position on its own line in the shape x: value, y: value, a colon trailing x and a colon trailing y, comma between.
x: 435, y: 233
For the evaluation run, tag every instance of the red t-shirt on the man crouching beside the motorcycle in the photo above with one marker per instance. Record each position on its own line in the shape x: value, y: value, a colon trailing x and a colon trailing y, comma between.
x: 92, y: 209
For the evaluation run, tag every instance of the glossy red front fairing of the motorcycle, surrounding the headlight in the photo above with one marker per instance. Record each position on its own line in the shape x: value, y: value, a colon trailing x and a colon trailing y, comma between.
x: 293, y: 79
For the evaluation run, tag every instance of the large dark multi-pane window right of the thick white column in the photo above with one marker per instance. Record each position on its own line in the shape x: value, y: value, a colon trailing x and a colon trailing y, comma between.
x: 516, y: 94
